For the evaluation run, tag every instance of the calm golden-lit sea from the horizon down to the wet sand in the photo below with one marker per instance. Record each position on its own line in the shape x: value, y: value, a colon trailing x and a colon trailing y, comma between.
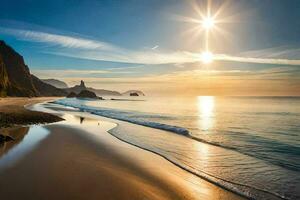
x: 250, y: 145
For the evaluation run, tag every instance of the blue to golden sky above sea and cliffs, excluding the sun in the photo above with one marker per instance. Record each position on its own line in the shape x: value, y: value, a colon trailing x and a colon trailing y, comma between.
x: 113, y: 41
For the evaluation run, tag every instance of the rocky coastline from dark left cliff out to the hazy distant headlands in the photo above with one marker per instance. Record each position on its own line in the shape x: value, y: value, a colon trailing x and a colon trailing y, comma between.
x: 17, y: 81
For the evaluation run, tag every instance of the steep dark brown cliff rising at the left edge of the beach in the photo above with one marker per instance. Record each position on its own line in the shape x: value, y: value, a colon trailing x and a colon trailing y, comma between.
x: 15, y: 77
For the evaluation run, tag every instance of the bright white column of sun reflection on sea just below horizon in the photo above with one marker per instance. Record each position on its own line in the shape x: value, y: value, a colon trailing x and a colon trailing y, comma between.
x: 206, y: 105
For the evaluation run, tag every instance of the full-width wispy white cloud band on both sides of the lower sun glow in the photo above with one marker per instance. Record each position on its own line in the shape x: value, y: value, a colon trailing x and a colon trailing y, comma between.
x: 84, y: 48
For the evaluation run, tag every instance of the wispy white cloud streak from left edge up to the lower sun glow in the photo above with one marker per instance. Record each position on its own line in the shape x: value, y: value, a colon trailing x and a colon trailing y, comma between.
x: 79, y: 47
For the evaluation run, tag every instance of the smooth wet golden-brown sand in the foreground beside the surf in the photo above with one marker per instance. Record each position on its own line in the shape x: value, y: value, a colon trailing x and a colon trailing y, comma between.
x: 79, y: 159
